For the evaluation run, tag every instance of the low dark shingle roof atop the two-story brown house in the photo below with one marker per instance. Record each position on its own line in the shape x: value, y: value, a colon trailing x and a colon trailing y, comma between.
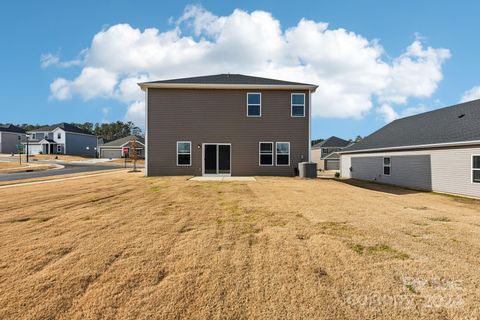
x: 227, y: 78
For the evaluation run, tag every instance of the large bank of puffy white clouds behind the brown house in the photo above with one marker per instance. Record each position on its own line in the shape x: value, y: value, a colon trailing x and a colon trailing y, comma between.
x: 352, y: 71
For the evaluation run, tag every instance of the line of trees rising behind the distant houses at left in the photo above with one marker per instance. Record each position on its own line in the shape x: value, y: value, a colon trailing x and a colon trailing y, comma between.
x: 107, y: 131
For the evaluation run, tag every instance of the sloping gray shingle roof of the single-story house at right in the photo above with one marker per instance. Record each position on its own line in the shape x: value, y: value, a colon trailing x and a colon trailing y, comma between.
x: 457, y: 123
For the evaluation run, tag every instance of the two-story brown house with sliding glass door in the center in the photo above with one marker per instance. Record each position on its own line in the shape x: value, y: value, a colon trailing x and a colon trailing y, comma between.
x: 226, y: 124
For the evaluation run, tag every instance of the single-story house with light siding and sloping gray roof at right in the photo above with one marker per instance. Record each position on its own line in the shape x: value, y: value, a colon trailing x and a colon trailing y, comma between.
x: 437, y: 150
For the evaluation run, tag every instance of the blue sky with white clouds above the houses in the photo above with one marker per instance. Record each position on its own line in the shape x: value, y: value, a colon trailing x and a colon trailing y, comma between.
x: 62, y: 31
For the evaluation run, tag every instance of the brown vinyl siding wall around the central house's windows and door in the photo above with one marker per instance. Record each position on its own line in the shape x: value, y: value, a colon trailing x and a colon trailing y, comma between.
x: 220, y: 116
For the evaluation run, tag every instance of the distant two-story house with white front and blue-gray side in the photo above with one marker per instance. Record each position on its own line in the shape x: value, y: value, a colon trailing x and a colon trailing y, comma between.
x: 62, y: 138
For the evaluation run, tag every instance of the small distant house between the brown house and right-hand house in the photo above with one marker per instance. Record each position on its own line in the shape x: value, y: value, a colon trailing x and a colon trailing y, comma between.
x: 323, y: 153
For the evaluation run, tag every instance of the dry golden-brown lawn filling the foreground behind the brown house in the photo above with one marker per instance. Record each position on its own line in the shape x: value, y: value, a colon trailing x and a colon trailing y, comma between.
x: 122, y: 246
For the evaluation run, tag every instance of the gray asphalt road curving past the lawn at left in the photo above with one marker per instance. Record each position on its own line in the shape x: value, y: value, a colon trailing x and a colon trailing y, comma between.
x: 69, y: 168
